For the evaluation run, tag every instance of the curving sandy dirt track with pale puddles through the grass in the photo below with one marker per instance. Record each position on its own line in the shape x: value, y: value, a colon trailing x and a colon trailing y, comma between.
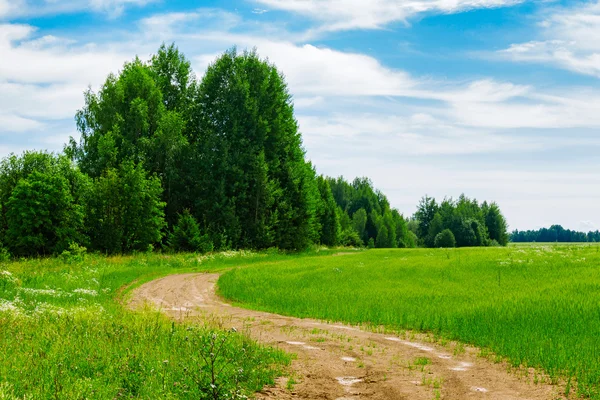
x: 345, y: 363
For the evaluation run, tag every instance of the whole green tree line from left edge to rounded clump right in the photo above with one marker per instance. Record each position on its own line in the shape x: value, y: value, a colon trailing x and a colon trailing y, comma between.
x: 168, y: 161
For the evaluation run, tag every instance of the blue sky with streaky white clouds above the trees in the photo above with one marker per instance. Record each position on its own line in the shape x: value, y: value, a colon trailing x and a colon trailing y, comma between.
x: 496, y: 99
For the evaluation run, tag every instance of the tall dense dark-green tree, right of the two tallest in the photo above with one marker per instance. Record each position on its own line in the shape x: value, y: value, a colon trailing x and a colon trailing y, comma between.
x: 254, y: 186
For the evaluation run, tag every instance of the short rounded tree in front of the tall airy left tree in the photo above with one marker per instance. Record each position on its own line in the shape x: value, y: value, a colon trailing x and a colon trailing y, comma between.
x: 125, y: 211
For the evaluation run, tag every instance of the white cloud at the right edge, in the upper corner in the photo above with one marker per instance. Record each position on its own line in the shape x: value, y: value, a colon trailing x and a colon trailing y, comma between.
x: 569, y: 40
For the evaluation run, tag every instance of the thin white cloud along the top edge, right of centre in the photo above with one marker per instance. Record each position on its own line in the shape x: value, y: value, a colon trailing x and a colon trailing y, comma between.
x: 338, y: 15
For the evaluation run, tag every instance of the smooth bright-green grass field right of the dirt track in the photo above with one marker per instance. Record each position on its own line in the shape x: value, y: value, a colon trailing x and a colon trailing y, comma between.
x: 536, y: 305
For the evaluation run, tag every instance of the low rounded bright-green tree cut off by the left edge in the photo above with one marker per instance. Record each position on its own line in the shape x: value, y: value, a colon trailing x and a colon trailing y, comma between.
x: 42, y: 200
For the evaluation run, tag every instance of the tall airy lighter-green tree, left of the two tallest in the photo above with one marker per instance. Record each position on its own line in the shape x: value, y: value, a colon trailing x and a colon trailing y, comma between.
x: 141, y: 115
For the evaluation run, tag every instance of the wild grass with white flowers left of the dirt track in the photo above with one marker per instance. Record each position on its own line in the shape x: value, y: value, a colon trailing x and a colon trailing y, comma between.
x: 64, y: 334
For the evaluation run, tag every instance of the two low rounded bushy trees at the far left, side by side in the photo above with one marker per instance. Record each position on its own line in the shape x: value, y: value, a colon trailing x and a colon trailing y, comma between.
x: 47, y: 205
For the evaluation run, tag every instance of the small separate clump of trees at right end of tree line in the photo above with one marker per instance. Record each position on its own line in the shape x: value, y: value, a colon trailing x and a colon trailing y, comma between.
x: 462, y: 222
